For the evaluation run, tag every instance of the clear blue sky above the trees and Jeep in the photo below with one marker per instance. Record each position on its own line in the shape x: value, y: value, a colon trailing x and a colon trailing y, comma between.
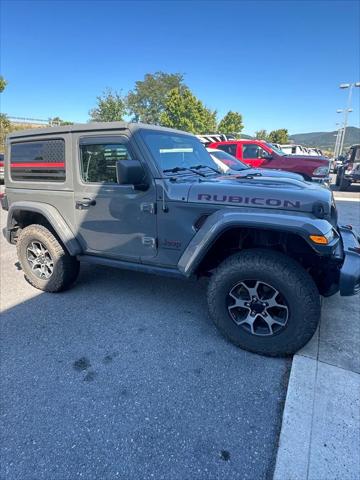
x: 279, y: 63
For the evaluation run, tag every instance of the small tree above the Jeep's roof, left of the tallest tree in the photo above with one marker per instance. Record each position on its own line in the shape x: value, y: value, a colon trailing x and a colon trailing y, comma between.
x: 110, y: 107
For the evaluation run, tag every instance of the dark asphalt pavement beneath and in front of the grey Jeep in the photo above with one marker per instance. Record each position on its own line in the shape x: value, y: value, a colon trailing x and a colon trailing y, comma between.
x: 124, y: 376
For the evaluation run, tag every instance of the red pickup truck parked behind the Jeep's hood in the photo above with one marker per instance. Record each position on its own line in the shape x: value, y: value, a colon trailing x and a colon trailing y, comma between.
x: 258, y: 153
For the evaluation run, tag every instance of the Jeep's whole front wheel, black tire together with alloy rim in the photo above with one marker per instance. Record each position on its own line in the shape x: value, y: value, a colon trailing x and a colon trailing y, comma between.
x: 265, y: 302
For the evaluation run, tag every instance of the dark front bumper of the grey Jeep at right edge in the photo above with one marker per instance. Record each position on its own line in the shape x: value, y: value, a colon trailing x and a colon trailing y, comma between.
x: 349, y: 282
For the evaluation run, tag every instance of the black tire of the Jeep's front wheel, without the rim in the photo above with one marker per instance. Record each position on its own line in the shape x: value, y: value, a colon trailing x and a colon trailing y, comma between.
x: 295, y: 285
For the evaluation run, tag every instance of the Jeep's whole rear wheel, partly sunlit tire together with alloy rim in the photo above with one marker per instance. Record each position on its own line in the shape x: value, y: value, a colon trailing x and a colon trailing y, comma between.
x: 45, y: 263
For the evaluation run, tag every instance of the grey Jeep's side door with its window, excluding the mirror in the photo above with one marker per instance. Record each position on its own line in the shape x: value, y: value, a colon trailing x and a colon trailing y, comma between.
x: 112, y: 220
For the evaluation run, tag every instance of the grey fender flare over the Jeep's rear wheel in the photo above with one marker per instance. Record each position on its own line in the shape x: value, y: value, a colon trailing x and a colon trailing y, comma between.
x: 23, y: 214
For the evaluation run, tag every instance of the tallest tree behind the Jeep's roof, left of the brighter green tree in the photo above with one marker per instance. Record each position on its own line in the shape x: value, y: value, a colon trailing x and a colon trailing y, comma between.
x: 146, y: 101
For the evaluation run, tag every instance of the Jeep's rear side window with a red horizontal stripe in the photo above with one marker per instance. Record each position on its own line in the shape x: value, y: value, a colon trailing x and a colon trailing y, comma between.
x: 38, y: 161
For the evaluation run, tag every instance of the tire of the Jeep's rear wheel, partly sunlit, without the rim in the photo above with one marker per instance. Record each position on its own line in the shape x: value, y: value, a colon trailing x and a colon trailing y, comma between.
x: 66, y: 268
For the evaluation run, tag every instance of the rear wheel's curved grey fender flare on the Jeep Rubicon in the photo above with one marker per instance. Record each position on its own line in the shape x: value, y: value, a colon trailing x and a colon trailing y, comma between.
x: 55, y: 219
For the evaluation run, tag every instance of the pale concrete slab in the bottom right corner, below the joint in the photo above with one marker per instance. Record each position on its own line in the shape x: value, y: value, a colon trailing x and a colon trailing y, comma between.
x: 320, y: 433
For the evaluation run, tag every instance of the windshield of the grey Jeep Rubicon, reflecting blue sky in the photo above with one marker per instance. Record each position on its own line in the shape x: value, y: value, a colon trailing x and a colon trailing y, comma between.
x: 176, y: 151
